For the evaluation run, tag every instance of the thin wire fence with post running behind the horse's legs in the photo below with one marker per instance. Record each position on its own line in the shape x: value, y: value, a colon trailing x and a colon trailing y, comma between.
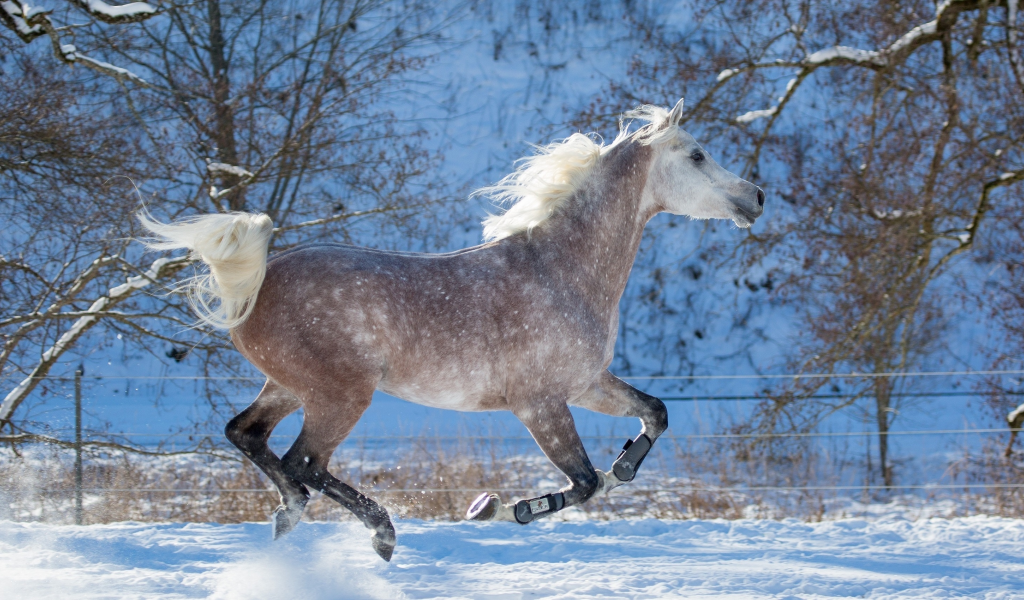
x: 111, y: 441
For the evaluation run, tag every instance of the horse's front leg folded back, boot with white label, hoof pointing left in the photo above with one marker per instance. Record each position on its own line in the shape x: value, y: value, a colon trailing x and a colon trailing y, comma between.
x: 553, y: 428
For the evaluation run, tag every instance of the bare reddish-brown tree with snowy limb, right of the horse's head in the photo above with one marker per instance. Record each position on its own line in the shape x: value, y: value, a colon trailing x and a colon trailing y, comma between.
x: 888, y: 132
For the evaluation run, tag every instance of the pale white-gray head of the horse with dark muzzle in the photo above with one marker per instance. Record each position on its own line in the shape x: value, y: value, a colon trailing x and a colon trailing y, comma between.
x: 685, y: 180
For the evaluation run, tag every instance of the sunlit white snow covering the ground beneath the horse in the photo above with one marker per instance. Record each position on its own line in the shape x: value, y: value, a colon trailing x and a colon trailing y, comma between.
x: 982, y: 558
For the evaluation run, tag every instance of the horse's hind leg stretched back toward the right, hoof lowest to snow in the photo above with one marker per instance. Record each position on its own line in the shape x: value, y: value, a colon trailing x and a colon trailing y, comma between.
x: 327, y: 422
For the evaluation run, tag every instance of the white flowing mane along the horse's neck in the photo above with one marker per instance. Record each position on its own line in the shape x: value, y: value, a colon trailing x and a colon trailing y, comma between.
x: 543, y: 183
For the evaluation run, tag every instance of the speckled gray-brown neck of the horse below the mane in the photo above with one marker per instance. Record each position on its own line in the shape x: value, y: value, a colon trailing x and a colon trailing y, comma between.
x: 596, y: 242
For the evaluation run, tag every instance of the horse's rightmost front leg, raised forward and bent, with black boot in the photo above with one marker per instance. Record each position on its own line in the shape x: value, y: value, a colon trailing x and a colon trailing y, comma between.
x: 612, y: 396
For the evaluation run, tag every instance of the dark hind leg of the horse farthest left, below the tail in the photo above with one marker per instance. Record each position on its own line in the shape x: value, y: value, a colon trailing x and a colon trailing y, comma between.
x: 250, y: 432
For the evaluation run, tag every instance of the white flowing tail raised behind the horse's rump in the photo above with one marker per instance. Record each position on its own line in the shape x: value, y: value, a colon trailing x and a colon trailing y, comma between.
x: 234, y: 246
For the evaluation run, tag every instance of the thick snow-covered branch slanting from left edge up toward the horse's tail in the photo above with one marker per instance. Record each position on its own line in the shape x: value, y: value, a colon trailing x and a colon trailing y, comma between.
x: 160, y: 269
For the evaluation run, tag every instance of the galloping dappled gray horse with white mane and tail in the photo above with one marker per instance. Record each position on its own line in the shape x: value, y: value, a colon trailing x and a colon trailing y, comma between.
x: 526, y: 323
